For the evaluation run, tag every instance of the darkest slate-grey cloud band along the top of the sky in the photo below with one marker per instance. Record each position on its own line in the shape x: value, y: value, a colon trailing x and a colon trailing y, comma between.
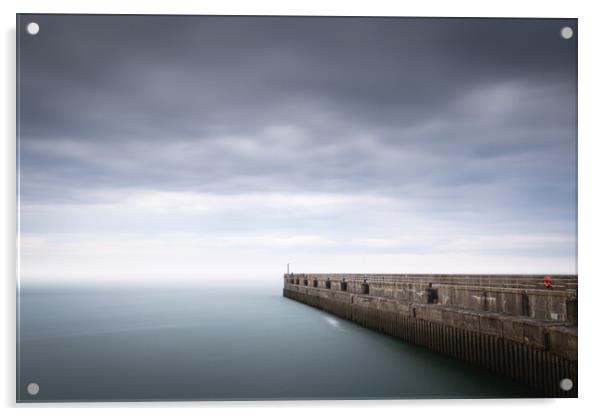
x: 211, y: 70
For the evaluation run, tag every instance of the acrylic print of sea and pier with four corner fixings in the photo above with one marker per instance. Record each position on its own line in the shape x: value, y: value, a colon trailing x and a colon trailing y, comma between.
x: 288, y: 207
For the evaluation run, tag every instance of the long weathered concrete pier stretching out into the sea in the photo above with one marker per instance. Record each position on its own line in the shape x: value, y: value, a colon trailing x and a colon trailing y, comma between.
x: 522, y: 326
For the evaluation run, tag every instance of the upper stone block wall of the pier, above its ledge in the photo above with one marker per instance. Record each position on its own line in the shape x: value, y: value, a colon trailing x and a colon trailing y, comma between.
x: 523, y: 295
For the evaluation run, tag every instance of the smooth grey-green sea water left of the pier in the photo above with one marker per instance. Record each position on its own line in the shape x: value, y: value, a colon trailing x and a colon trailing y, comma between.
x: 203, y: 344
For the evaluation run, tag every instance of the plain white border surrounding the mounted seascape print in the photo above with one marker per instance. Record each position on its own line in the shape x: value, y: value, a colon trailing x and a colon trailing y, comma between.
x: 590, y: 186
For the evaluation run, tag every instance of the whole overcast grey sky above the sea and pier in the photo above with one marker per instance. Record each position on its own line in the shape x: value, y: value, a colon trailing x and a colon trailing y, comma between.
x: 181, y: 149
